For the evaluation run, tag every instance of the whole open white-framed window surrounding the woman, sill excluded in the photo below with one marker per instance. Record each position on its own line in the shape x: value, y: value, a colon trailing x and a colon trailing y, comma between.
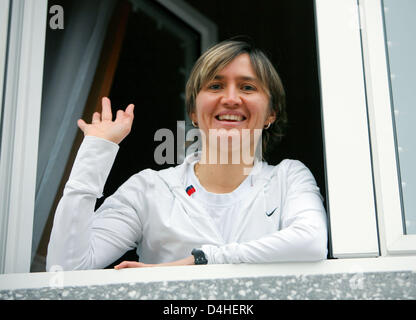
x: 335, y: 59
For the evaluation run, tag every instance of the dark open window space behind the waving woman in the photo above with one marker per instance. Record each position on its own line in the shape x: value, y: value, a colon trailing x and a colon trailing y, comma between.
x: 146, y: 56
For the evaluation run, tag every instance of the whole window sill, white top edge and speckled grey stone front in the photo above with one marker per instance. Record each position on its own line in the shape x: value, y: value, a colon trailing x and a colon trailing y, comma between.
x: 361, y: 278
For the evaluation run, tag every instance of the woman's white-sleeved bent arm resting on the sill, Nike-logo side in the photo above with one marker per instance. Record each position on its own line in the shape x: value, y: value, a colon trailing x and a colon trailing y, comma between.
x: 303, y: 234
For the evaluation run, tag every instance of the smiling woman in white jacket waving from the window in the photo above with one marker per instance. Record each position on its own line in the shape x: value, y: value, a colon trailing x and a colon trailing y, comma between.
x: 203, y: 210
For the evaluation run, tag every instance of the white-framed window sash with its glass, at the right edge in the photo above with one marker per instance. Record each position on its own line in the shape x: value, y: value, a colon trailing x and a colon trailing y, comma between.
x: 388, y: 101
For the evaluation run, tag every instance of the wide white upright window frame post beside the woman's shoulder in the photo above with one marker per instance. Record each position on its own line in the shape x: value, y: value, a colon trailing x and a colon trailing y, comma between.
x: 351, y: 200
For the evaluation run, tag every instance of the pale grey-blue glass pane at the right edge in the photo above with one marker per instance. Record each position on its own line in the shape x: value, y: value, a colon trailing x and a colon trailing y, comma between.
x: 400, y: 27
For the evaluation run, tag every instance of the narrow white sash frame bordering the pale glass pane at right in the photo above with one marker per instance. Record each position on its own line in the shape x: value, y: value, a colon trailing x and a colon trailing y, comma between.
x: 390, y: 211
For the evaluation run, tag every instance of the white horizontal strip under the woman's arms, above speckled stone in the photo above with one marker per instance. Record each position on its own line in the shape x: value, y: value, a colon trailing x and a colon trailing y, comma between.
x: 61, y: 279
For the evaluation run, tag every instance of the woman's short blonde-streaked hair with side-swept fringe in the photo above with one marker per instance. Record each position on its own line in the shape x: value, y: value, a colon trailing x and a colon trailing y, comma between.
x: 220, y: 55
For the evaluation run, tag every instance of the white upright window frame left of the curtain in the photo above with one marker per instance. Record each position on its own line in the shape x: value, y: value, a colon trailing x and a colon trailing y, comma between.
x: 21, y: 102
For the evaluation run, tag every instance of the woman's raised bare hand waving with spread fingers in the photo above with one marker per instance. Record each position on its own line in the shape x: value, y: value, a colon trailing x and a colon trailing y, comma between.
x: 103, y: 126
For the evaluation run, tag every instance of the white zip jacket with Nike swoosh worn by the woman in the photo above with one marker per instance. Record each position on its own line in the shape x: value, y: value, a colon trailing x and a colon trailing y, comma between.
x: 153, y: 212
